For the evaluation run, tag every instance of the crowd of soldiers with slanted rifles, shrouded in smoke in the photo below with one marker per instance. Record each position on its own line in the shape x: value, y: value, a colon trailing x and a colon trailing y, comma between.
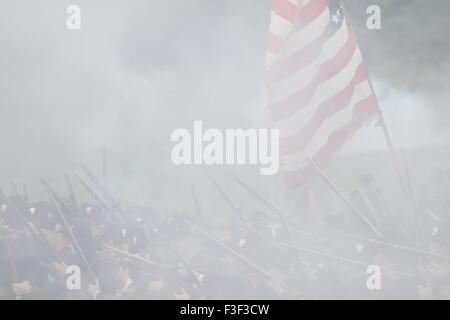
x: 142, y: 253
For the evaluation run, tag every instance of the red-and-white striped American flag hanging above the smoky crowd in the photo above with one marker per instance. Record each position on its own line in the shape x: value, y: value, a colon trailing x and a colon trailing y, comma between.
x: 319, y: 93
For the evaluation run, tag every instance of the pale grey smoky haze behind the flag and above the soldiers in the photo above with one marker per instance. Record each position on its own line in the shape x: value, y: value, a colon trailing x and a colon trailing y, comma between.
x: 139, y: 69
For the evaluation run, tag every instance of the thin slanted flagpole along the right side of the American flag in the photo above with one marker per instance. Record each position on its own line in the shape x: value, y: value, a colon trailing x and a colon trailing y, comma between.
x: 387, y: 135
